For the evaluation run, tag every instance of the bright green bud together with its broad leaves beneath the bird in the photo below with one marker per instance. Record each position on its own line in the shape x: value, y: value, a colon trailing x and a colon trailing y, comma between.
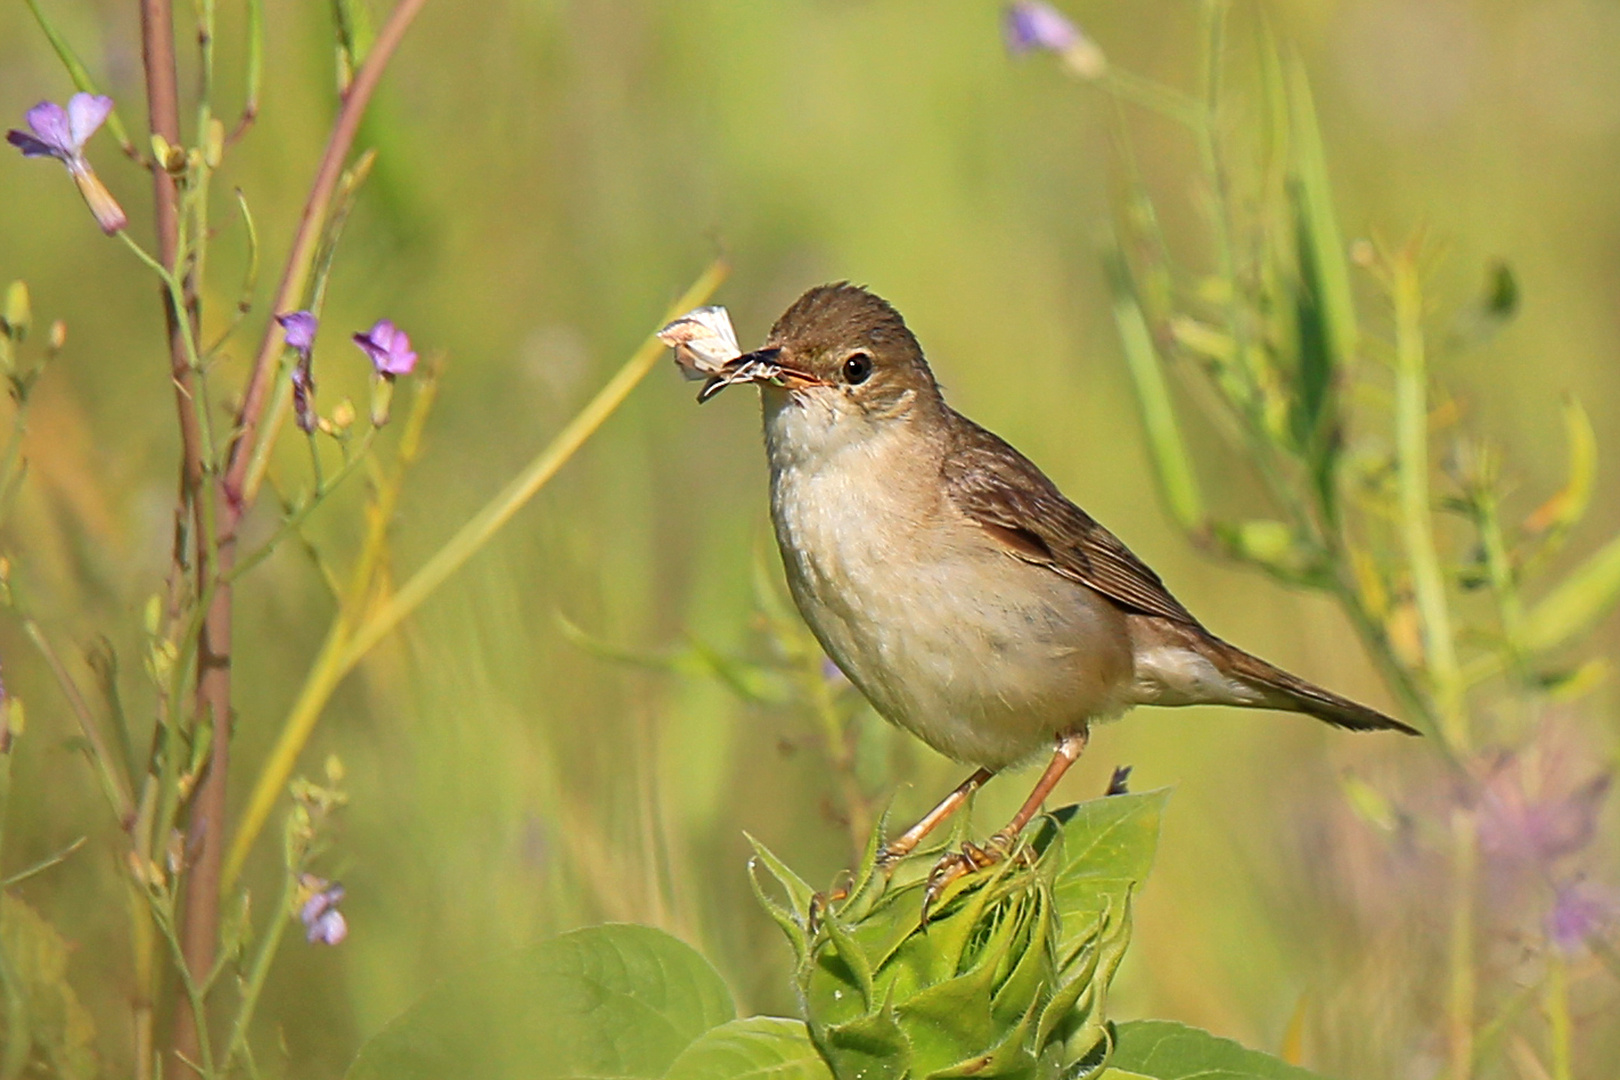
x: 1007, y: 977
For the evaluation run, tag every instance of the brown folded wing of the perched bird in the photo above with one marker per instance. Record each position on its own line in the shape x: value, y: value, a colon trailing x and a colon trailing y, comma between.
x: 1004, y: 491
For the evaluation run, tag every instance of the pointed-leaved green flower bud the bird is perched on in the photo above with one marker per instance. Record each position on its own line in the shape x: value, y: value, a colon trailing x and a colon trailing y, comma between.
x: 1008, y: 977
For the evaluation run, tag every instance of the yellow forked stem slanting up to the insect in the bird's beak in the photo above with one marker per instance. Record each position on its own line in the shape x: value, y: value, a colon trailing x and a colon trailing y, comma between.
x: 351, y: 639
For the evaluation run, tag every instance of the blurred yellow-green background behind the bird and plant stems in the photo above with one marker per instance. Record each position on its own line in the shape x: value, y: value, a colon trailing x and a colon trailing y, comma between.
x: 552, y: 176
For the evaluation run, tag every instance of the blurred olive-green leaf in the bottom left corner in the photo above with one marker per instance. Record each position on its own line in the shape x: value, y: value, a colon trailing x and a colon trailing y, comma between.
x: 41, y: 1019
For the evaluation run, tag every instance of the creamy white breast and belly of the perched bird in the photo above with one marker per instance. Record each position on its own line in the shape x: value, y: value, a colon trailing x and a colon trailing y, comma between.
x: 981, y: 655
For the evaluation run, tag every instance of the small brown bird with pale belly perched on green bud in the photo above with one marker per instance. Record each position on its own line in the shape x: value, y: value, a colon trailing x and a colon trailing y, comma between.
x: 955, y: 585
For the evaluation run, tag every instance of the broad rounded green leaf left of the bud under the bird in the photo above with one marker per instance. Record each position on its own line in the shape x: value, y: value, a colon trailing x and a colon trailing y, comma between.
x: 599, y: 1003
